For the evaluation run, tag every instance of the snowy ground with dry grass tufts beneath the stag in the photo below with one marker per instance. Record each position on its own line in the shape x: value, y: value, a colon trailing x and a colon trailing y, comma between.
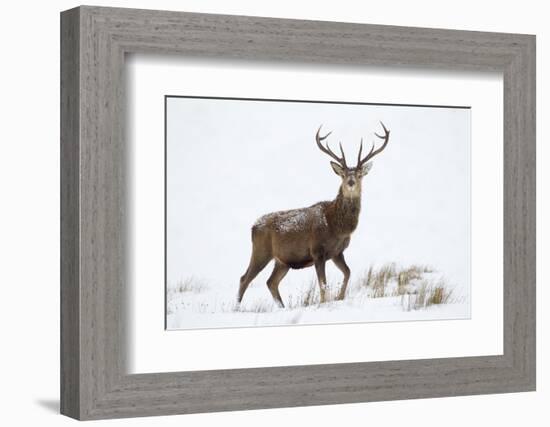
x: 193, y: 303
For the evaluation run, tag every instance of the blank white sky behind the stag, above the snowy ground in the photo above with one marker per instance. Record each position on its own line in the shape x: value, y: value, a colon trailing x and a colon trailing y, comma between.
x: 229, y: 162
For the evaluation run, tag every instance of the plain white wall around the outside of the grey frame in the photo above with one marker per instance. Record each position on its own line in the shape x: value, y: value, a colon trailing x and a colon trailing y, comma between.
x: 29, y: 179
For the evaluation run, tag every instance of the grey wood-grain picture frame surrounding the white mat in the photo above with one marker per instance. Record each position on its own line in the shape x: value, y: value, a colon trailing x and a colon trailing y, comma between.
x: 94, y: 382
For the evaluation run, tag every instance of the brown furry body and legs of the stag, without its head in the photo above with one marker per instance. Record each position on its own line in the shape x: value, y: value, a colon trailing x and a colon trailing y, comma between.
x: 301, y: 238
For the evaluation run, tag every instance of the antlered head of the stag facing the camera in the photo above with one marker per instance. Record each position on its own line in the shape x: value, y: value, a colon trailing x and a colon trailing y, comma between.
x: 352, y: 176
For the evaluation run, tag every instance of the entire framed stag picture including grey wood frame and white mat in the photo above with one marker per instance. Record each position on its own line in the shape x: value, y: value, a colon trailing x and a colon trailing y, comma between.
x: 346, y: 212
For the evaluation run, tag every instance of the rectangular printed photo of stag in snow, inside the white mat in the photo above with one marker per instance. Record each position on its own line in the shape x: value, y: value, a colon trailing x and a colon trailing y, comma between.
x: 411, y: 234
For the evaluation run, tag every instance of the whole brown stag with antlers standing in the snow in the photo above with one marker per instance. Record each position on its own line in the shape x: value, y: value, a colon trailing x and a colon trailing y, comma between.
x: 301, y: 238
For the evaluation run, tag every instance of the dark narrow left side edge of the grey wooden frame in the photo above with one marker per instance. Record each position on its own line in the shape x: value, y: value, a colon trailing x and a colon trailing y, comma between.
x: 70, y: 291
